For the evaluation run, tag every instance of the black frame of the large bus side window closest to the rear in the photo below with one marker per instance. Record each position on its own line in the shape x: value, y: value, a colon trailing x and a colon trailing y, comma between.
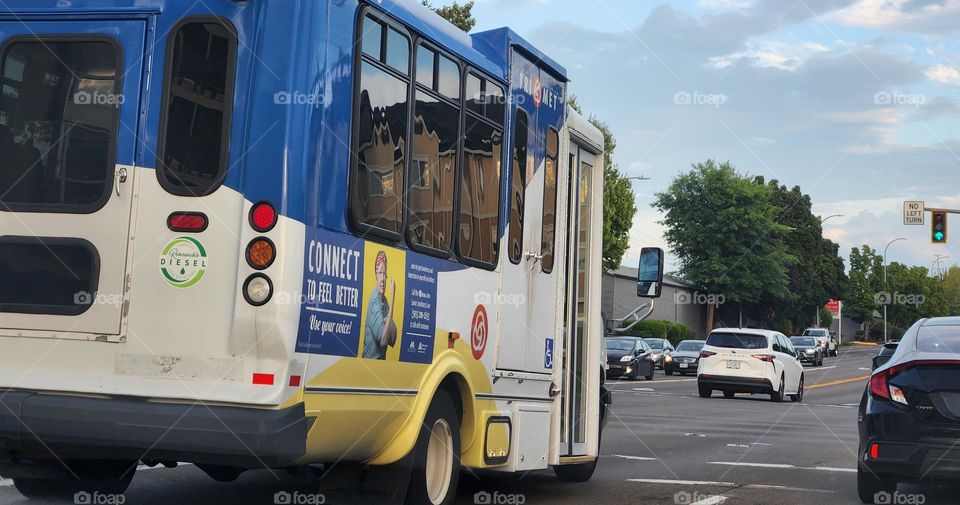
x: 359, y: 228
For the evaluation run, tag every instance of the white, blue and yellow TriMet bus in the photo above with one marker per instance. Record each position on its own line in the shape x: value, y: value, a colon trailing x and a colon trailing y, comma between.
x: 271, y: 234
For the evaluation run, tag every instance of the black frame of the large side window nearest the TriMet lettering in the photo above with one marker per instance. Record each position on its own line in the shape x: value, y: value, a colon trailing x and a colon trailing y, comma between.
x: 501, y: 190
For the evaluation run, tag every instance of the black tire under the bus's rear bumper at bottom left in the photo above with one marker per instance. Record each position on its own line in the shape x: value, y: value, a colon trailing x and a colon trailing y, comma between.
x: 104, y: 477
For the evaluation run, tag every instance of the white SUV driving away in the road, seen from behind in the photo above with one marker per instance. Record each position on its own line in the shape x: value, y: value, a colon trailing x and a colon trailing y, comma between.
x: 744, y: 360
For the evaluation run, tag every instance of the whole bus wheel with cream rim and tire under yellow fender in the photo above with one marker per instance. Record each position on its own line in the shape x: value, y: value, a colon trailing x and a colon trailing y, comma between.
x: 436, y: 466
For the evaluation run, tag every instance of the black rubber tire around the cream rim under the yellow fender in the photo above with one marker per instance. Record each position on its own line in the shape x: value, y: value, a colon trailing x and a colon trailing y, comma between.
x: 442, y: 411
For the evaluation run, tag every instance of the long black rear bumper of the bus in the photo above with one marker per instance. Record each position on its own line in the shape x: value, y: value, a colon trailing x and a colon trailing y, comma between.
x: 32, y: 426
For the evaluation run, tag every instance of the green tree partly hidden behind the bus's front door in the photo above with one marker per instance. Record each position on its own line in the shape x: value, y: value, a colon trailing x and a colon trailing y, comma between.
x: 619, y: 200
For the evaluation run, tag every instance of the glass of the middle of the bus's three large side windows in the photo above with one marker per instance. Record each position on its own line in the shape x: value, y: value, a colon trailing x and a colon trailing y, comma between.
x: 433, y: 167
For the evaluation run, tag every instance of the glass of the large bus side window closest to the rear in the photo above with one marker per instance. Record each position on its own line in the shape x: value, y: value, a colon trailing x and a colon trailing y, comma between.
x: 376, y: 196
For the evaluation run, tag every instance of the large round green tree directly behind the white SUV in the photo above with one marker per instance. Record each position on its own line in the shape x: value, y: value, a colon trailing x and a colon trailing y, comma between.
x: 723, y: 228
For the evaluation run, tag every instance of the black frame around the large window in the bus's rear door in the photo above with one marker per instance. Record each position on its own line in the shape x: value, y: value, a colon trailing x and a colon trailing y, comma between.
x: 110, y: 176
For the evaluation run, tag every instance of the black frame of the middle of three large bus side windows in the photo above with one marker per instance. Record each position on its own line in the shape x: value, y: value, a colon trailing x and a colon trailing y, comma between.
x: 416, y: 87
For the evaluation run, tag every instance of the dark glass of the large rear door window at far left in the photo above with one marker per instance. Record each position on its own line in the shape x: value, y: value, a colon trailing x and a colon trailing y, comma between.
x: 59, y: 109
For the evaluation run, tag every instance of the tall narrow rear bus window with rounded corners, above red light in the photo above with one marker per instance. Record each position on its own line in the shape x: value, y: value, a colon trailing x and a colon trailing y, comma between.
x: 195, y: 130
